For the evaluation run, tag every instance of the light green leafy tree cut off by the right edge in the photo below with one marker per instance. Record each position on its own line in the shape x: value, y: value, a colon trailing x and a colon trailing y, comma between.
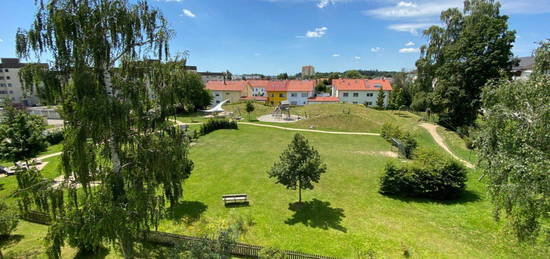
x: 514, y: 150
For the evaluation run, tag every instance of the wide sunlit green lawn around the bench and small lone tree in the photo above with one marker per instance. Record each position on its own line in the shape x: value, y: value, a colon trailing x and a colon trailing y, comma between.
x: 344, y: 215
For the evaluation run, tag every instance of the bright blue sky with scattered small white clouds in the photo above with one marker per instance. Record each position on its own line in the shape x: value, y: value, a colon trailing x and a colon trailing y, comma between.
x: 275, y: 36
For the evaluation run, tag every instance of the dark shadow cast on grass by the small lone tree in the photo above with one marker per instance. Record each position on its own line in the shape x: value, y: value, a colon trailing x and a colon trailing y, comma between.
x: 317, y: 214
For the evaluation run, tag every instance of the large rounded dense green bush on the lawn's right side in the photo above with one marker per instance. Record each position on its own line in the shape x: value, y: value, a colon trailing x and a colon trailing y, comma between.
x: 431, y: 175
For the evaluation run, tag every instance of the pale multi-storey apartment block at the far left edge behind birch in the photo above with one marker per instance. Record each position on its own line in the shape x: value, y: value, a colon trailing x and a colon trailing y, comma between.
x: 11, y: 86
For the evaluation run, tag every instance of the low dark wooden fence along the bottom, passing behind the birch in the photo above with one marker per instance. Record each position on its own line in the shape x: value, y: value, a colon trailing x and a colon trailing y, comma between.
x: 169, y: 239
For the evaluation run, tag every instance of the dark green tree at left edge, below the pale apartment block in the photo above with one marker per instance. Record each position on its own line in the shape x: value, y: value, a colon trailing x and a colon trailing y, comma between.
x: 21, y: 135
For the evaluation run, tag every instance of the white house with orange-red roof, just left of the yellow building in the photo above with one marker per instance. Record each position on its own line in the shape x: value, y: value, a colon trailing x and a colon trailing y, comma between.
x: 223, y: 90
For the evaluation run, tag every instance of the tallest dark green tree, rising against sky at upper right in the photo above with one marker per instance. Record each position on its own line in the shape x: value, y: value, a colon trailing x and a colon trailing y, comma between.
x: 471, y: 48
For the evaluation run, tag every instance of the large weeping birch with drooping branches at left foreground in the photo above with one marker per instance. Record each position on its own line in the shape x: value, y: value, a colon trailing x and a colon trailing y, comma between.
x: 119, y: 147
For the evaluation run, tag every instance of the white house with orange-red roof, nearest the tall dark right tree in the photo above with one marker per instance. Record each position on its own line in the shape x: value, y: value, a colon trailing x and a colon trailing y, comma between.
x: 361, y: 91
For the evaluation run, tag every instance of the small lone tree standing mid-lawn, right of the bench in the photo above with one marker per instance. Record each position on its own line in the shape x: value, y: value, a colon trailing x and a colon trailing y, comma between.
x: 299, y: 166
